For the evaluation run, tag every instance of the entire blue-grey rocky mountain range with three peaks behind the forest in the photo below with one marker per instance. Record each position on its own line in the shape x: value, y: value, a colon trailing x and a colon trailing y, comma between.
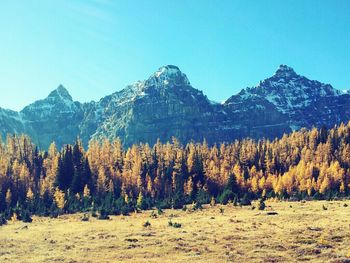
x: 166, y: 105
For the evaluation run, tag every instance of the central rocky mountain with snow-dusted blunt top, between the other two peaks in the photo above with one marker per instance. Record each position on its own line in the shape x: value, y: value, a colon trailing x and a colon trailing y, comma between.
x: 164, y: 105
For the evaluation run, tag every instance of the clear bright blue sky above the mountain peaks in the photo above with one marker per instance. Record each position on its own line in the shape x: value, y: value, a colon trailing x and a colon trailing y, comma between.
x: 95, y: 48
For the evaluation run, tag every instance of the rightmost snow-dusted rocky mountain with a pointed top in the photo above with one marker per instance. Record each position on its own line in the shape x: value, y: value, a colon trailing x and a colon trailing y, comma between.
x: 295, y: 100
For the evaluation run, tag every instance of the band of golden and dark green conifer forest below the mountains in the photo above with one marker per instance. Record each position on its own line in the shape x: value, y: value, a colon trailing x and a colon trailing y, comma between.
x: 108, y: 179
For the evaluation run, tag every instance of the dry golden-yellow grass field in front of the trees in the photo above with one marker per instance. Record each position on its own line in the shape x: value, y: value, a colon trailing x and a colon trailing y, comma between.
x: 311, y: 231
